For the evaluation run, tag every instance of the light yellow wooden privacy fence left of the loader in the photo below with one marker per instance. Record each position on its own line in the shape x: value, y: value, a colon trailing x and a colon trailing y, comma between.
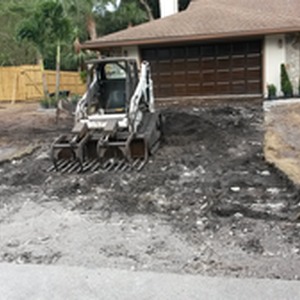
x: 25, y: 83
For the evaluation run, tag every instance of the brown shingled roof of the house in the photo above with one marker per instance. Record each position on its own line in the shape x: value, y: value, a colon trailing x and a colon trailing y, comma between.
x: 211, y: 19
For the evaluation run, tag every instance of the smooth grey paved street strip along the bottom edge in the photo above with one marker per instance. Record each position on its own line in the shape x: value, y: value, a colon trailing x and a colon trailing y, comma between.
x: 38, y: 282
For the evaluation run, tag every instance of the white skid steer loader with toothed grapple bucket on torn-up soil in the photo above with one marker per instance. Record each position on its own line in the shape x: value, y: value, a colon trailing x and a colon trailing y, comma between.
x: 116, y: 126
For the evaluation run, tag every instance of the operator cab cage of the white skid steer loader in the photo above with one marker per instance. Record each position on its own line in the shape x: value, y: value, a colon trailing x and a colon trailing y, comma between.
x: 114, y: 82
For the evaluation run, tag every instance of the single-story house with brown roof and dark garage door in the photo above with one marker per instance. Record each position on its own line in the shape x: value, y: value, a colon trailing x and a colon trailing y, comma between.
x: 219, y: 47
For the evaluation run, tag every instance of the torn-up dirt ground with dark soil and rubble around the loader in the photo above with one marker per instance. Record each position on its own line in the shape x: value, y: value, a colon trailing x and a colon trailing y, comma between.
x: 207, y: 203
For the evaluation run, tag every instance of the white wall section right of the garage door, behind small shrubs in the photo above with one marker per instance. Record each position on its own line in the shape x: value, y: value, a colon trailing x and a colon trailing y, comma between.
x: 274, y: 56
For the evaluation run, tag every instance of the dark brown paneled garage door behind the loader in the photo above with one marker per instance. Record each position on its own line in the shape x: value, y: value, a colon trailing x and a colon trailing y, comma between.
x: 207, y: 69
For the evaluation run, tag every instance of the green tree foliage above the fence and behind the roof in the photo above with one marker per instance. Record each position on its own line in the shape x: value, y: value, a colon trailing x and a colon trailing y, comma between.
x: 26, y: 20
